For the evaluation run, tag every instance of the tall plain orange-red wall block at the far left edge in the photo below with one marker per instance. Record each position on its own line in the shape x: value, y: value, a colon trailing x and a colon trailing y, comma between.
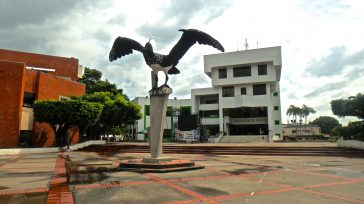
x: 12, y: 80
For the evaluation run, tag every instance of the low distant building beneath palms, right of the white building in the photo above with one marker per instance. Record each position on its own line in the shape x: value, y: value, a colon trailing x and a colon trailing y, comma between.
x: 297, y: 131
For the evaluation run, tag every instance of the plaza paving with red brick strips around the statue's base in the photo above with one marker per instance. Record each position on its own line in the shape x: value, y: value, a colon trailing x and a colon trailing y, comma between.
x: 89, y: 177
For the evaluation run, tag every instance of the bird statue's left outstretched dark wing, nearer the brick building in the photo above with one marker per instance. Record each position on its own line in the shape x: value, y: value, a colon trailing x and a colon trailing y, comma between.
x: 123, y: 46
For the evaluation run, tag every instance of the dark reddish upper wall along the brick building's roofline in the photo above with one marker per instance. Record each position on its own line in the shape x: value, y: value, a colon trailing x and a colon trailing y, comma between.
x: 66, y: 67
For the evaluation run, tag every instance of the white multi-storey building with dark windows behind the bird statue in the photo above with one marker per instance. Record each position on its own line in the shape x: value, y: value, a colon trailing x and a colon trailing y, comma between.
x: 243, y: 102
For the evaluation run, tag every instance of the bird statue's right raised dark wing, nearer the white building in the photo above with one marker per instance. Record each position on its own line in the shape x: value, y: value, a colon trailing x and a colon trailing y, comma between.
x: 189, y: 38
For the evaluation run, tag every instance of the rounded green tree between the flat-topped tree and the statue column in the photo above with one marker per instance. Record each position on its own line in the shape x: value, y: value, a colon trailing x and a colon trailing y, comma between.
x: 117, y: 112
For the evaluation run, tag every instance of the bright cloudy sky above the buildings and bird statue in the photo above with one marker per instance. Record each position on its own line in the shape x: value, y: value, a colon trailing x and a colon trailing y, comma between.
x: 322, y: 40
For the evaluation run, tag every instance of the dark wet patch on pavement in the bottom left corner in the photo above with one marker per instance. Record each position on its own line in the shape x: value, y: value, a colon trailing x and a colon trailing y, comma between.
x: 31, y: 198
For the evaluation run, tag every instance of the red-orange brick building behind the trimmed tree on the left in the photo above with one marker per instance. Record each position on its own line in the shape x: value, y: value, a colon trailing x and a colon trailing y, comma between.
x: 25, y: 77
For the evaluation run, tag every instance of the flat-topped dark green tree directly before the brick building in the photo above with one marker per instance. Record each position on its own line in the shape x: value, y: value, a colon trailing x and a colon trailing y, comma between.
x: 63, y: 115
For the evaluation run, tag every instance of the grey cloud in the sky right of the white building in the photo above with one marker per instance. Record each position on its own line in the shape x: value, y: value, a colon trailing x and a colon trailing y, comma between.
x: 334, y: 63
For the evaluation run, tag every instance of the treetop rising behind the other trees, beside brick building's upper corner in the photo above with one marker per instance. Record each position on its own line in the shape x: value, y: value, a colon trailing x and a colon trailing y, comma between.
x: 92, y: 79
